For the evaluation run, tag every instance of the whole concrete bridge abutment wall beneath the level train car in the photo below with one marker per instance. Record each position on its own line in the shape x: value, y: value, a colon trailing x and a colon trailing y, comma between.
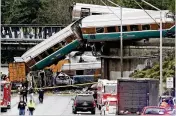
x: 133, y: 59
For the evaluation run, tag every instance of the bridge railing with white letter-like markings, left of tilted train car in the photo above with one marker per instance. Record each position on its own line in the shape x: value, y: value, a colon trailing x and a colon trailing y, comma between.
x: 26, y: 31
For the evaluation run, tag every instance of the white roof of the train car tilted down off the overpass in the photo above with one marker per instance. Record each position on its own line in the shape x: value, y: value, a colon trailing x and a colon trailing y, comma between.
x: 54, y: 39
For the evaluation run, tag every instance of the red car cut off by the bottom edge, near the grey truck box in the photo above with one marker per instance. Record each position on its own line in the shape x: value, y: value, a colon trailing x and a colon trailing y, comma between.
x: 154, y: 110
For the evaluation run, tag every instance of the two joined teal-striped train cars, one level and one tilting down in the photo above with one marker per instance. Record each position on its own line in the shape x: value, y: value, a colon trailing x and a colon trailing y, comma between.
x: 98, y: 28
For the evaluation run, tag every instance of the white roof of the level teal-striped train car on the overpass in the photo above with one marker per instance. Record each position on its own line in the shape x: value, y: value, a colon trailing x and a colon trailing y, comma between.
x: 139, y: 17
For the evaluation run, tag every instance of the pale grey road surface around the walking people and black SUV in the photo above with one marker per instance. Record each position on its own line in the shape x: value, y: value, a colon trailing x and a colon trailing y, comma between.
x: 53, y: 105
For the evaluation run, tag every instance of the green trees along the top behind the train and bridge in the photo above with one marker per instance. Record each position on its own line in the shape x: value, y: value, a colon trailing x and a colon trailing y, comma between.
x: 57, y: 11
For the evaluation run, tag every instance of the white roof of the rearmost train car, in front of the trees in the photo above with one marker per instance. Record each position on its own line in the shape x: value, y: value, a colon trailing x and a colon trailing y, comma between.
x: 103, y: 9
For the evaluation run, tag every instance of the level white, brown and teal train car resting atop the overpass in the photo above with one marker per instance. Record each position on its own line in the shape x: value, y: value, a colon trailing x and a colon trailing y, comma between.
x: 136, y: 26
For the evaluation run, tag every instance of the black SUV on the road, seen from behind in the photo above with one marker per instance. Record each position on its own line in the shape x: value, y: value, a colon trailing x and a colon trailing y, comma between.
x: 84, y: 103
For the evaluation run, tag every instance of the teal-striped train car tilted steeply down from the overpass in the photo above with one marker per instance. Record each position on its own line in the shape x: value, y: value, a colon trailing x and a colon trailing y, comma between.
x: 54, y: 48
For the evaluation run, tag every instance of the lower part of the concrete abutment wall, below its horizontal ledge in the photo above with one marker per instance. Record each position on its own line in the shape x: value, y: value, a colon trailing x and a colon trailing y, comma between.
x: 111, y: 68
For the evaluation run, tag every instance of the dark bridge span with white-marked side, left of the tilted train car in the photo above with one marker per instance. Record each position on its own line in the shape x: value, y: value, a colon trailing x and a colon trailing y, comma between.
x: 18, y: 38
